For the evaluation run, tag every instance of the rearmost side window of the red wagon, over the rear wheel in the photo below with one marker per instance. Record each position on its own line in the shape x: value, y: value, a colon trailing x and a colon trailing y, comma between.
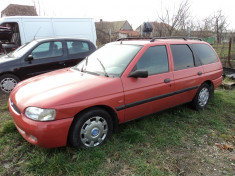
x: 204, y: 53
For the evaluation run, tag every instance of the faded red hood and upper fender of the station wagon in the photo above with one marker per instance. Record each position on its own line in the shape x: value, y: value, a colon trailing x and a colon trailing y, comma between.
x: 63, y: 87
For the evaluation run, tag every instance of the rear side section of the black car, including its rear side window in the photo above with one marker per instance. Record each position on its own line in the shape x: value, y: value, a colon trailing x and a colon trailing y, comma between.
x: 77, y: 50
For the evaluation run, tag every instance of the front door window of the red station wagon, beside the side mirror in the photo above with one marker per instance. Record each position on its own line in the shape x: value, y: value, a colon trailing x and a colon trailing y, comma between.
x: 154, y: 60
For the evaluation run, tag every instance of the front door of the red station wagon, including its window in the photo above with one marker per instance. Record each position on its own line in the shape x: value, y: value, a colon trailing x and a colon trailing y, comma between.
x: 144, y: 96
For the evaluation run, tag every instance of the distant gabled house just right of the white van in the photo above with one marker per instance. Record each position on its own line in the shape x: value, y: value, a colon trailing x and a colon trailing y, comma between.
x: 110, y: 31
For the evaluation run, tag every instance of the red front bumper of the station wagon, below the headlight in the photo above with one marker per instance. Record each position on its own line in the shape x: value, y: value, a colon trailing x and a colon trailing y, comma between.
x: 44, y: 134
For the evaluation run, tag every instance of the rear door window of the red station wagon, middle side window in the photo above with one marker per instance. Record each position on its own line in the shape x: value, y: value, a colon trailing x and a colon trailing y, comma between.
x: 182, y: 56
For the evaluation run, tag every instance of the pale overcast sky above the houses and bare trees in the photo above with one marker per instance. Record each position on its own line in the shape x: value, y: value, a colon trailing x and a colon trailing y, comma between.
x: 135, y: 11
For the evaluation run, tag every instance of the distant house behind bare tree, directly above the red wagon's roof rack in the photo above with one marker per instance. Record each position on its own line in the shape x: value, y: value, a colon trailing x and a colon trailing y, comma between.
x: 158, y: 30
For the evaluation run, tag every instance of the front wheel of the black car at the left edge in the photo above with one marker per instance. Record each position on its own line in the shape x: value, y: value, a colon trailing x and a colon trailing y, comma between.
x: 8, y: 82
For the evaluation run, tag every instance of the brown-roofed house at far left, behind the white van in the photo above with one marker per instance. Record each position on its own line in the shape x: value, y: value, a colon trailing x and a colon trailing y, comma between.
x: 19, y: 10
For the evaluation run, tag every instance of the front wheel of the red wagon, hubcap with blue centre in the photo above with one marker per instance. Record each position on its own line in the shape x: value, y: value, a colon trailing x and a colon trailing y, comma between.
x: 91, y: 128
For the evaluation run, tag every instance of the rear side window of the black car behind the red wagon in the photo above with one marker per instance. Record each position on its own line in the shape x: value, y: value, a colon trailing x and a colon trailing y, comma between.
x: 76, y: 47
